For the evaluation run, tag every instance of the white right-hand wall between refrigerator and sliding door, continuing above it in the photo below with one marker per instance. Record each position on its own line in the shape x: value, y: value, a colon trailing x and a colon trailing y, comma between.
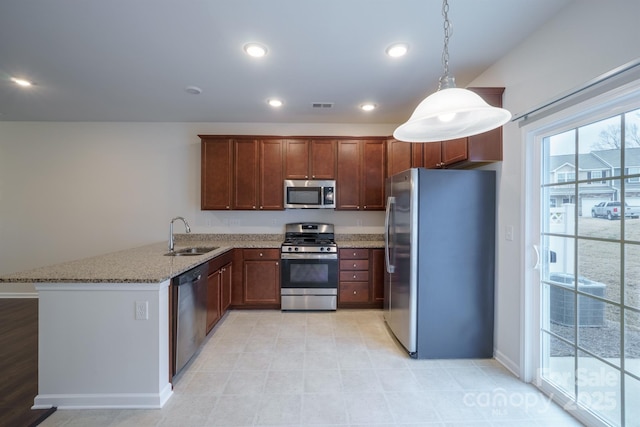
x: 585, y: 40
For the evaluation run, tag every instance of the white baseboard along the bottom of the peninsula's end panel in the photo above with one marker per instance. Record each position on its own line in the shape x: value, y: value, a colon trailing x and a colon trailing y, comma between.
x: 104, y: 401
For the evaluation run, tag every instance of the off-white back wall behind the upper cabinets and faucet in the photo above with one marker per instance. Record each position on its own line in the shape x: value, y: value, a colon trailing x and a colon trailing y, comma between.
x: 72, y: 190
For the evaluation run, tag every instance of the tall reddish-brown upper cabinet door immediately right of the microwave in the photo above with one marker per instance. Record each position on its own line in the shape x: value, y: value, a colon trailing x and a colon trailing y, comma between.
x: 348, y: 175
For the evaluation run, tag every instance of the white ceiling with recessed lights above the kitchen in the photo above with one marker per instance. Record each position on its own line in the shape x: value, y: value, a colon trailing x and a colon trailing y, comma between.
x: 130, y: 60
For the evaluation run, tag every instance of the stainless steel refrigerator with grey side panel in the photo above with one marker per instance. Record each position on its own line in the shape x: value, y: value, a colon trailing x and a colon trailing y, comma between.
x: 440, y: 262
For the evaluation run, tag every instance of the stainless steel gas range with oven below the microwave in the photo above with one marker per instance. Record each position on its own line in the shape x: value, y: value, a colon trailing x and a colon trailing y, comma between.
x: 309, y: 258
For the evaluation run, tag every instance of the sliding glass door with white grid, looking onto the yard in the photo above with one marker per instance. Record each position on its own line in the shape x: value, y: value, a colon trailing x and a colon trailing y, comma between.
x: 590, y: 267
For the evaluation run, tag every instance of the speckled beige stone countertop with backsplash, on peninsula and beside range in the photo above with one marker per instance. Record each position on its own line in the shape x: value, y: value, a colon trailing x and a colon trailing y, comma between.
x: 148, y: 264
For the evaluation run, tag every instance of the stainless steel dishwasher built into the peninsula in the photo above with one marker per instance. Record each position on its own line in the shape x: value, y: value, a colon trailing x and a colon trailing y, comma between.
x: 191, y: 313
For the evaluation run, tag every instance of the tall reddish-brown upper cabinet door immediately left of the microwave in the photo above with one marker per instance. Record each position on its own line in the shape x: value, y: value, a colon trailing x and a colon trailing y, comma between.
x: 271, y: 176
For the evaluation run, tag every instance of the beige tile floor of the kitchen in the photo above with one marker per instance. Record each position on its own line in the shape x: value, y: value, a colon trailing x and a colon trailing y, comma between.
x: 343, y: 368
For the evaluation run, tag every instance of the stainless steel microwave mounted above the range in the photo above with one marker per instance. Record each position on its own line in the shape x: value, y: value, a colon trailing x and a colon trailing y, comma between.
x: 309, y: 194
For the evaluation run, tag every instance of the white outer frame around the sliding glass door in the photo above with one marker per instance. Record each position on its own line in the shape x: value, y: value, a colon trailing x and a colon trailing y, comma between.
x: 616, y: 101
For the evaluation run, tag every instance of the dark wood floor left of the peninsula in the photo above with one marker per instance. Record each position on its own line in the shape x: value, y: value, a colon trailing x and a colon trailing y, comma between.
x: 19, y: 363
